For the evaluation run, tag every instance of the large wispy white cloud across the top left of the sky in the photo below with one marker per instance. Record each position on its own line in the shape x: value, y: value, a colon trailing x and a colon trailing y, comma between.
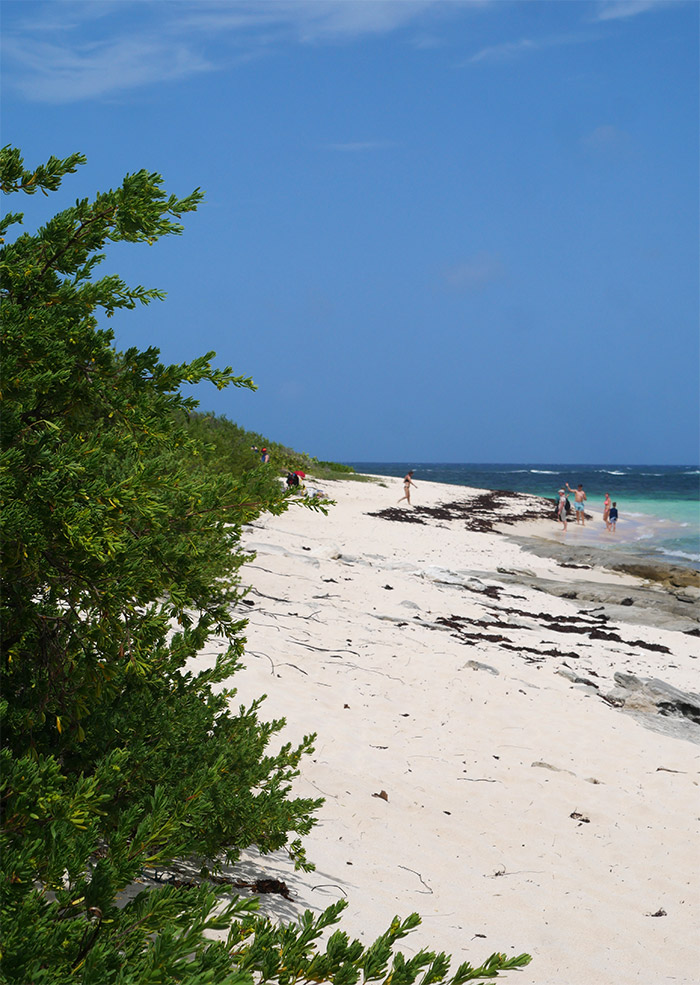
x: 81, y: 49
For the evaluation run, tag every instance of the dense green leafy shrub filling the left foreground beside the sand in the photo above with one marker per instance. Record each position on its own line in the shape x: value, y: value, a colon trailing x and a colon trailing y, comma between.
x: 122, y: 518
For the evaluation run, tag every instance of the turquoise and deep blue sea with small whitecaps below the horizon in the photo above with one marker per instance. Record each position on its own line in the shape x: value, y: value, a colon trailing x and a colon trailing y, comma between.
x: 659, y: 505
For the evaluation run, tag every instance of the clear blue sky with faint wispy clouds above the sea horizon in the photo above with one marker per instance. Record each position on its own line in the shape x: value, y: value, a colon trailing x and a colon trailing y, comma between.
x: 433, y: 231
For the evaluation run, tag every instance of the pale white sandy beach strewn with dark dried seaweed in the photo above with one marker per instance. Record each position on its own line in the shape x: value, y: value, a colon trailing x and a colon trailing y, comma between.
x: 474, y: 768
